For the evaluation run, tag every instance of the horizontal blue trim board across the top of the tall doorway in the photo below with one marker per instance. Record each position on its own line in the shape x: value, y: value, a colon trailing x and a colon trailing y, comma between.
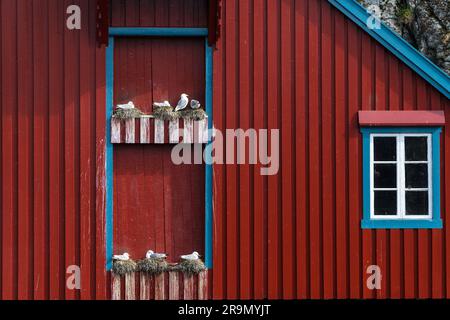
x: 158, y: 32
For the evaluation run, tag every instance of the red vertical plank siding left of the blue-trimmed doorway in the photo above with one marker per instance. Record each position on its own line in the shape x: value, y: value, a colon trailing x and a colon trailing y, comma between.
x: 52, y: 164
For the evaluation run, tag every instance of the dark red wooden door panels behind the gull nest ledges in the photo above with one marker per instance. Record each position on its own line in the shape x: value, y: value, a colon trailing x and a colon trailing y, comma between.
x: 157, y: 205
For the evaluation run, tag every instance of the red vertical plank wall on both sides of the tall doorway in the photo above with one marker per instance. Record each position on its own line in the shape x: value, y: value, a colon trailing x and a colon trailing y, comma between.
x: 295, y: 64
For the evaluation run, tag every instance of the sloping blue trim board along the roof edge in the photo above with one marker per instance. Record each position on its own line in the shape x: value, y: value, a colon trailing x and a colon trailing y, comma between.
x: 397, y: 45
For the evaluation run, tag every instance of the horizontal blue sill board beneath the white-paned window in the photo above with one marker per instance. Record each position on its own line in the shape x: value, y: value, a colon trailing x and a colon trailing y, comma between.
x: 401, y: 224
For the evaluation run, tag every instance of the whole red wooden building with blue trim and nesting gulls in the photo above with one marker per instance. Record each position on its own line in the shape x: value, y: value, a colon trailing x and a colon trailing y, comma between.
x: 354, y: 188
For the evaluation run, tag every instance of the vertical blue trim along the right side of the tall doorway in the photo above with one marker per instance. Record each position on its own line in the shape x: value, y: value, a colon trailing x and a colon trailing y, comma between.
x: 209, y: 169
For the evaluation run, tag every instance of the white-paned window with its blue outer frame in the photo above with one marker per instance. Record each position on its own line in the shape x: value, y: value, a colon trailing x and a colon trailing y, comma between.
x: 401, y: 178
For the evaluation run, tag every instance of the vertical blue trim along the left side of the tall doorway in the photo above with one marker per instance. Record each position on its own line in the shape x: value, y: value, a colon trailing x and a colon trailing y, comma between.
x: 109, y: 153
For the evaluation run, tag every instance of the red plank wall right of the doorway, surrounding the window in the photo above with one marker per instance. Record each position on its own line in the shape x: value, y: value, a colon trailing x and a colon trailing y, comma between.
x: 301, y: 66
